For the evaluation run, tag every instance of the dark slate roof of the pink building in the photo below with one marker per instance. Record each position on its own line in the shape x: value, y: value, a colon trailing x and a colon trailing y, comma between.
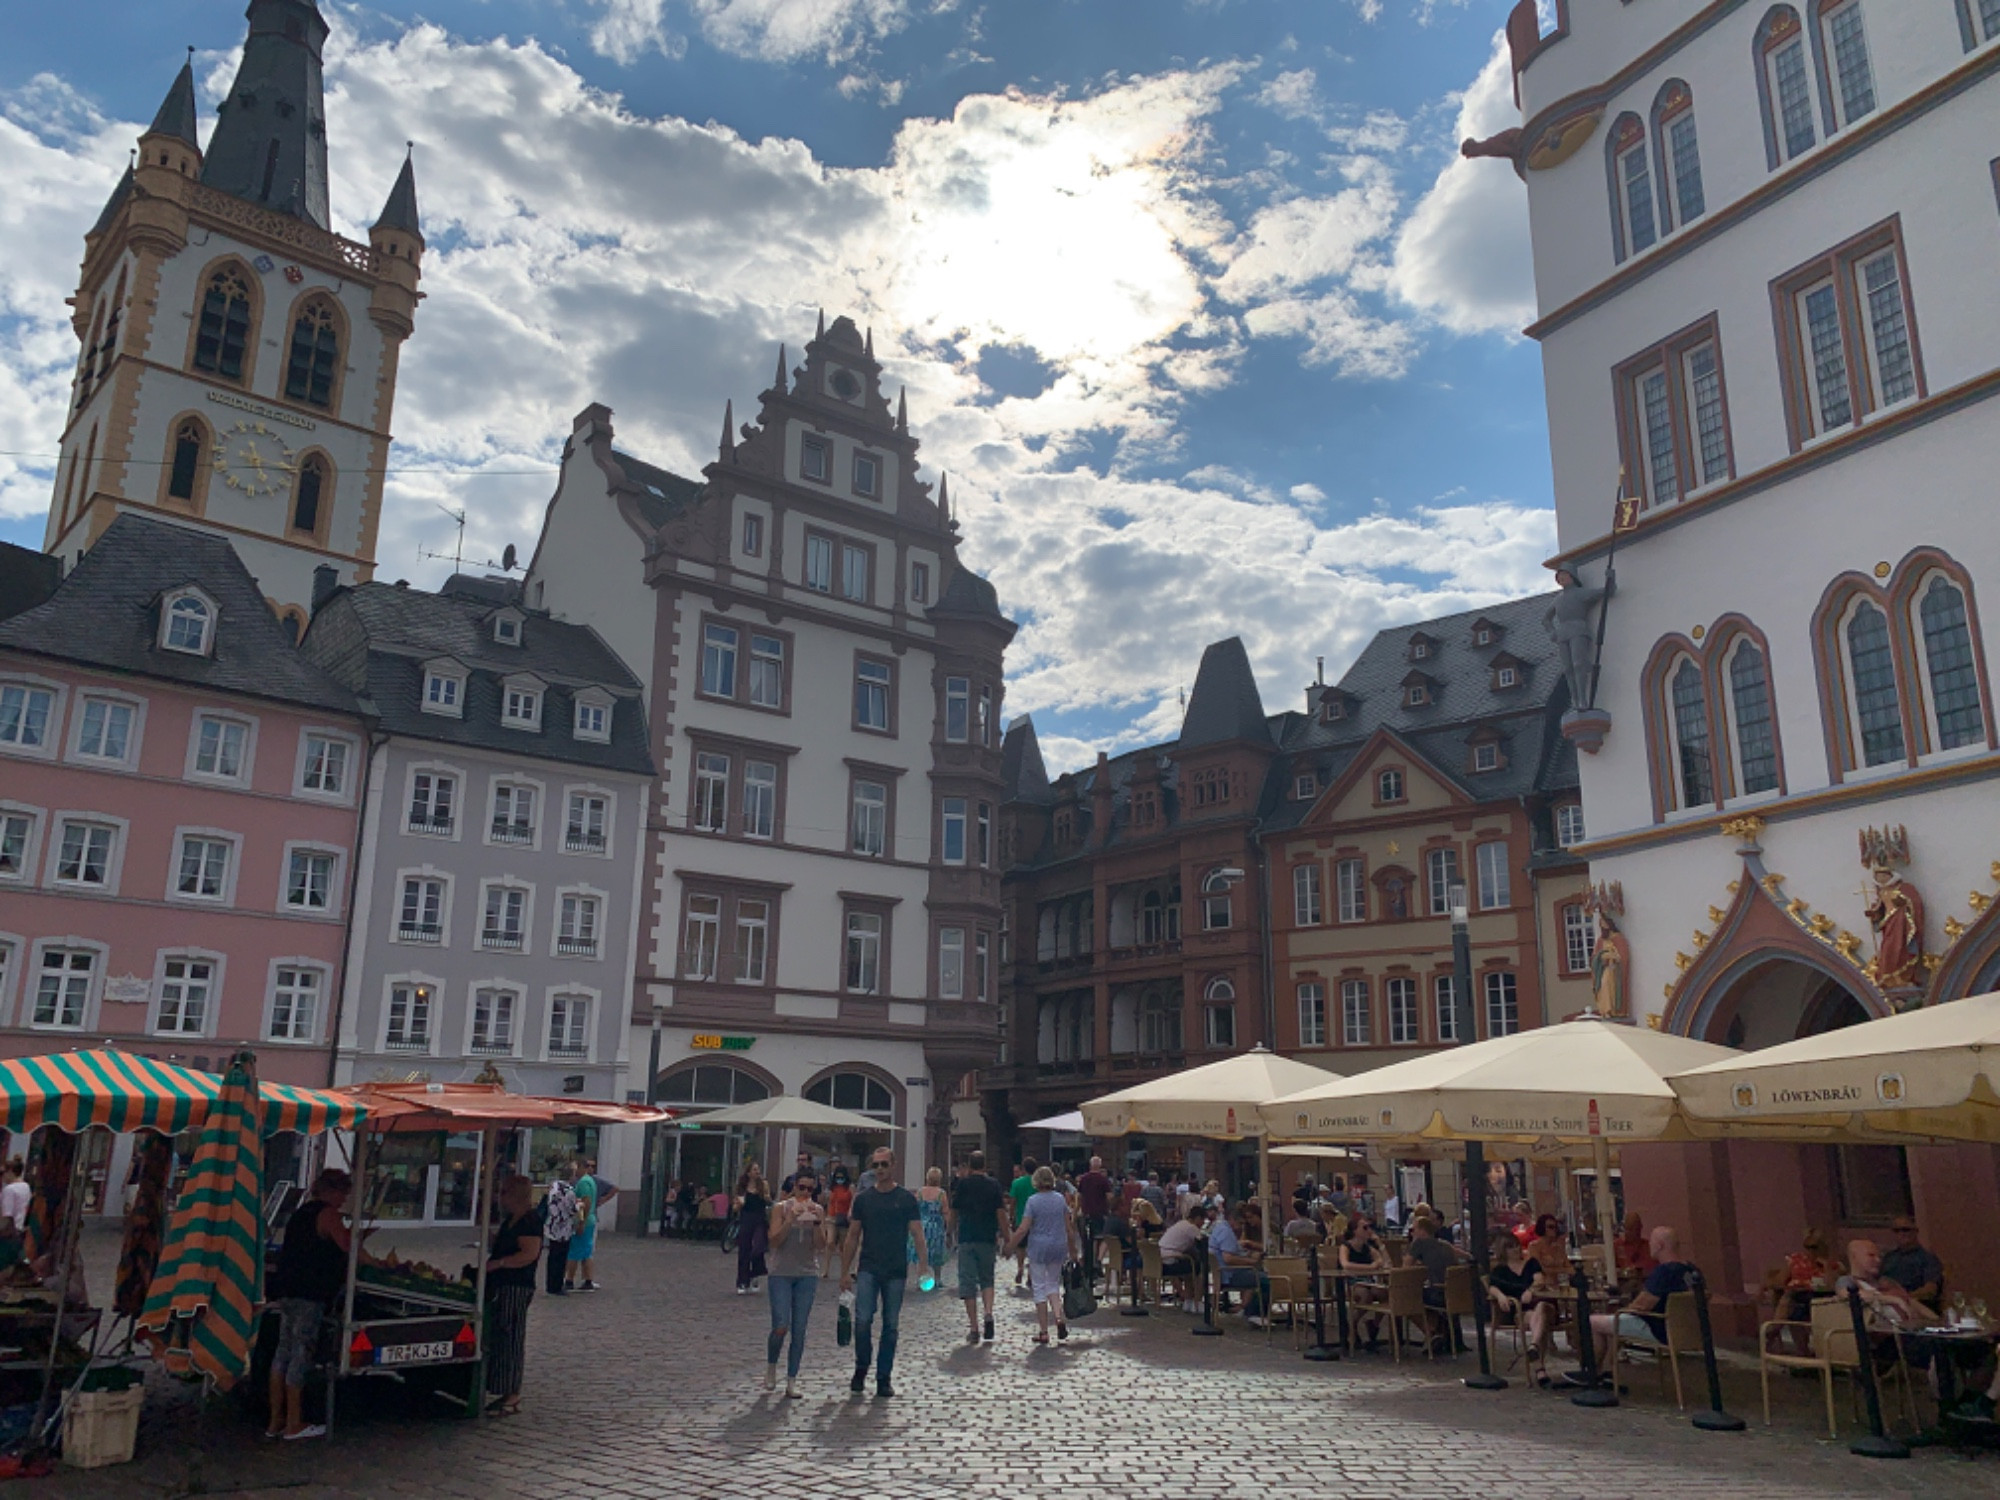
x: 107, y: 615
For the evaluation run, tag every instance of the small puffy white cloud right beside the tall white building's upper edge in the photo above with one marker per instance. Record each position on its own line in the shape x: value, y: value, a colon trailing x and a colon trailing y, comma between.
x: 1463, y: 257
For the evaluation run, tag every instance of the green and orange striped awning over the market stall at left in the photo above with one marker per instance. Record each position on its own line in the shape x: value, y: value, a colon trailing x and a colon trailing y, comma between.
x: 123, y: 1091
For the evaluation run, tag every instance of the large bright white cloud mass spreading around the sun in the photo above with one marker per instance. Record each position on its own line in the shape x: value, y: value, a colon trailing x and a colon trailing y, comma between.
x: 585, y: 253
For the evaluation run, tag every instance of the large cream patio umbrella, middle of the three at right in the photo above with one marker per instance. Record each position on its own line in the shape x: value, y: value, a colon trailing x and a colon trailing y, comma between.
x: 1581, y: 1085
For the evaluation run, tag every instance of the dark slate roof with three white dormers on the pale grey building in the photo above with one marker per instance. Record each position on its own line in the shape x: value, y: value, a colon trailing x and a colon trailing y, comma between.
x: 377, y: 639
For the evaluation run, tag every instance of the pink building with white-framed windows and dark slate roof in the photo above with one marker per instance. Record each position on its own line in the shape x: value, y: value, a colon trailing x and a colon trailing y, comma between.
x: 179, y: 809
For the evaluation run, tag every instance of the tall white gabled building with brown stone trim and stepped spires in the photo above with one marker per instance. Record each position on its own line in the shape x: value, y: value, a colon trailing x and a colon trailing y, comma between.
x: 825, y: 689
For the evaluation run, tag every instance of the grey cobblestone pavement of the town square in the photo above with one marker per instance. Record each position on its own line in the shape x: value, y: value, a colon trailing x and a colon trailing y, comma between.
x: 653, y: 1387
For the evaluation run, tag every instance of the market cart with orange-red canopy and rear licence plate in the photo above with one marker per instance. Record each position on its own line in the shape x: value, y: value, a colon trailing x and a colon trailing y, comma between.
x: 403, y: 1319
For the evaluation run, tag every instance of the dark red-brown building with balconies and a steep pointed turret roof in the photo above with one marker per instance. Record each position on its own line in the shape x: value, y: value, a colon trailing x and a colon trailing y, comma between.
x: 1135, y: 909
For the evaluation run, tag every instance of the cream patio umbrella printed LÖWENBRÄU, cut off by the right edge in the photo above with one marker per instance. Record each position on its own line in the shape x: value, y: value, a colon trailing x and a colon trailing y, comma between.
x: 1929, y: 1073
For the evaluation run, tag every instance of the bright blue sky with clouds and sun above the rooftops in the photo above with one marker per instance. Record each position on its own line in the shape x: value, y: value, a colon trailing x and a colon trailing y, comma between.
x: 1195, y: 301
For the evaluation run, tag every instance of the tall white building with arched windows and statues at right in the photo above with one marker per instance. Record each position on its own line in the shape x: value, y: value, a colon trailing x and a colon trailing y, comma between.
x: 1763, y: 249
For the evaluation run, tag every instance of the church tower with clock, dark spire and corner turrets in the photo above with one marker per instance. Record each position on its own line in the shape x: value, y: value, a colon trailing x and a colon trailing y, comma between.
x: 239, y: 357
